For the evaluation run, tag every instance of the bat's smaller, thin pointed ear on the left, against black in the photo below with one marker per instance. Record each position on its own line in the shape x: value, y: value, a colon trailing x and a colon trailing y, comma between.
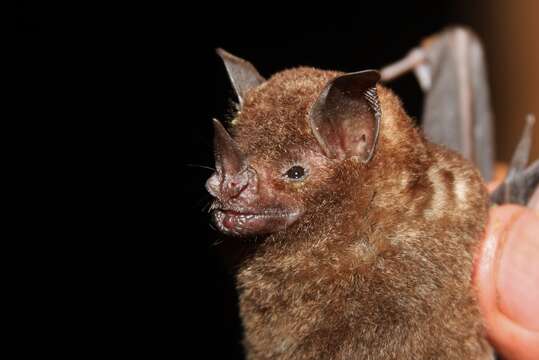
x: 242, y: 73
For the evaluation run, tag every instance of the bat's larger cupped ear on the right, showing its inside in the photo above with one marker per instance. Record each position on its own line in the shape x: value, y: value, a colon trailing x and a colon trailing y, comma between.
x: 346, y: 117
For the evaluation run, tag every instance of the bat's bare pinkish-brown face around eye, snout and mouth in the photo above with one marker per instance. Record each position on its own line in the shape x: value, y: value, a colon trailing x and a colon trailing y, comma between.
x: 261, y: 195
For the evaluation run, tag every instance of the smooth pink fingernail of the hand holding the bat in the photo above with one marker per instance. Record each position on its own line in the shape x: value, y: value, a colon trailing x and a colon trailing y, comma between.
x: 518, y: 272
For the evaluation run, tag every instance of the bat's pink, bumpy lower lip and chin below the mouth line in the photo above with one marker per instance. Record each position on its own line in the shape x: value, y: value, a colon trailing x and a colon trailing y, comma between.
x: 246, y: 223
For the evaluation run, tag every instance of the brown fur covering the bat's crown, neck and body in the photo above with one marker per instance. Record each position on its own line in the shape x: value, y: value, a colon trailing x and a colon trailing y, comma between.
x: 379, y: 266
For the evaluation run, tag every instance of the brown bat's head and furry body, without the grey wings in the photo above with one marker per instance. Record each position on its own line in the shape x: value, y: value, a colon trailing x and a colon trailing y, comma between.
x: 364, y: 231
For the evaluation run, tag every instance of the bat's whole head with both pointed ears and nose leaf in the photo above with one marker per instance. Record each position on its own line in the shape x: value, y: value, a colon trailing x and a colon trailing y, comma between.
x: 289, y: 137
